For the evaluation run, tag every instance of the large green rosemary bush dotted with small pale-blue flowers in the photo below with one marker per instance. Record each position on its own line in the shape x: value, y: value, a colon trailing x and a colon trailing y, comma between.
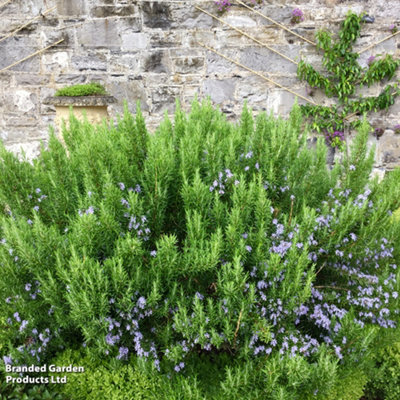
x: 206, y: 240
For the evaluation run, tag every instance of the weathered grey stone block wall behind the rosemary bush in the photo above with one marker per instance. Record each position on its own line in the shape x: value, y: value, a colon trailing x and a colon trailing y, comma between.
x: 149, y: 51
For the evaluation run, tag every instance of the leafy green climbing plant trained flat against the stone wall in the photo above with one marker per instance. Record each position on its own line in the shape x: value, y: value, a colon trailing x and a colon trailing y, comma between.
x: 344, y: 75
